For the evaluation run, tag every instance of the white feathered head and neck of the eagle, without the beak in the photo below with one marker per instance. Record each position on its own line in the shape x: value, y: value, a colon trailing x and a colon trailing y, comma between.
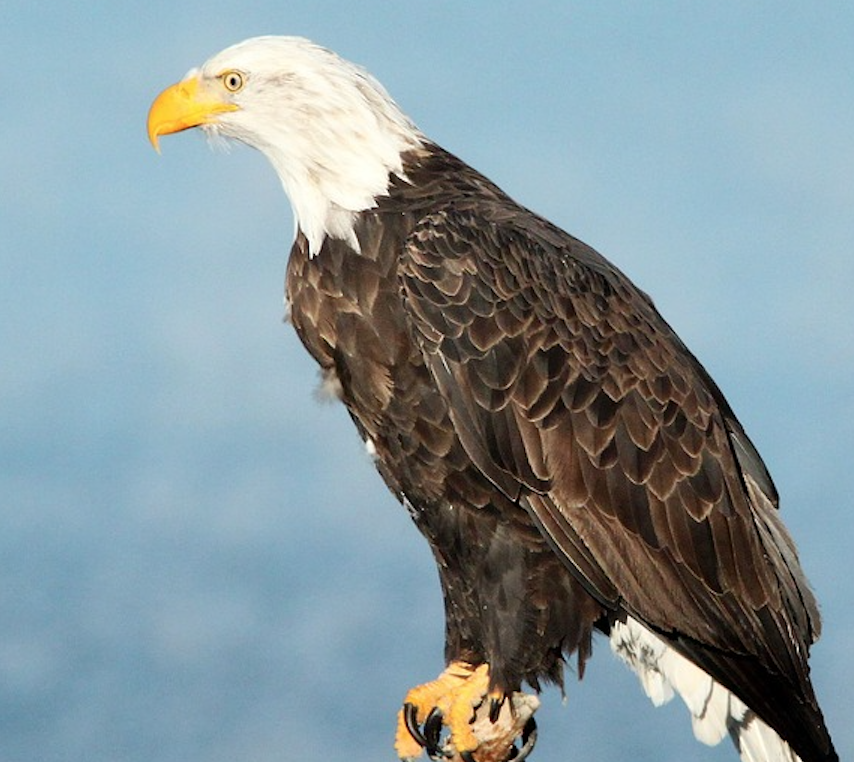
x: 331, y: 131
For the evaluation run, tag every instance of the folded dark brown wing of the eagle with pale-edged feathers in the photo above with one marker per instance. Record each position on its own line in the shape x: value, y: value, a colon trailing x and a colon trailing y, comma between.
x: 574, y: 397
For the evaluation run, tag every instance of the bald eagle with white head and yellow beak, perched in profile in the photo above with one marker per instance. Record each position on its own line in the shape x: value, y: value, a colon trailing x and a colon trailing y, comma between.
x: 572, y: 465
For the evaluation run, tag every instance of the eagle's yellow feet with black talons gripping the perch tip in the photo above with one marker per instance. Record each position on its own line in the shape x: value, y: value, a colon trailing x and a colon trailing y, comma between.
x: 482, y: 725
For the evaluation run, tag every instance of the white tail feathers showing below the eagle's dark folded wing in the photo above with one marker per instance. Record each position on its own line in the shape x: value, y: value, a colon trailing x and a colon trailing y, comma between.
x: 715, y: 711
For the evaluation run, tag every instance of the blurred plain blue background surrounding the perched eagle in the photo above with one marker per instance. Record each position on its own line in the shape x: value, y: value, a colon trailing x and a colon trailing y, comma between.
x: 197, y: 562
